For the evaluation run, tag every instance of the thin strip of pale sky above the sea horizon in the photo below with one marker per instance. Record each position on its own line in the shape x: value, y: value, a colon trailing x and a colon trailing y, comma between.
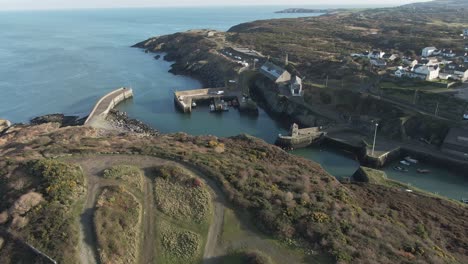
x: 67, y: 4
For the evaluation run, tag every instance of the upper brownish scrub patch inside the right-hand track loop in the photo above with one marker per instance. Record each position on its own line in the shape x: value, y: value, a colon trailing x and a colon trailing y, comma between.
x: 181, y: 196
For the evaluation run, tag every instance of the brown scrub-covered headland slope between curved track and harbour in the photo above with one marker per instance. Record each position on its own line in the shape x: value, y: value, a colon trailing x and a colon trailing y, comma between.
x: 290, y: 198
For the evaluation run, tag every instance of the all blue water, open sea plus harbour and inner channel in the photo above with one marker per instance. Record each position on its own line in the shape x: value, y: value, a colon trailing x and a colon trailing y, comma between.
x: 63, y: 61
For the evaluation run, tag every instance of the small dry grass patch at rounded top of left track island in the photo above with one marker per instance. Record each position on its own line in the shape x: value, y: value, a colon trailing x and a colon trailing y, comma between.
x: 127, y: 173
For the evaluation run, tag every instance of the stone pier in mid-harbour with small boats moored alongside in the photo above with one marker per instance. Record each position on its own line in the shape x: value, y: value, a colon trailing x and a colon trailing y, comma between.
x: 184, y: 99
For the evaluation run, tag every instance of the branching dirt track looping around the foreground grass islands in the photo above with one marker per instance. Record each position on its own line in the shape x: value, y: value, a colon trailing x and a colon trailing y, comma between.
x: 94, y: 165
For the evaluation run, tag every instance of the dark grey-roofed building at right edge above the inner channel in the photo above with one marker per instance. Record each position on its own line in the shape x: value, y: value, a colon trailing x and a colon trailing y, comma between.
x: 456, y: 143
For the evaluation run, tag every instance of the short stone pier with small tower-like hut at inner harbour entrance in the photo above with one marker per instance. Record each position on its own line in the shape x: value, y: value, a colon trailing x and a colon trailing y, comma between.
x: 300, y: 138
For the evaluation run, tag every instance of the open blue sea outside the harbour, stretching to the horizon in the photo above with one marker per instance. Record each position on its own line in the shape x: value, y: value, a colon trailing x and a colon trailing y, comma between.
x: 62, y: 61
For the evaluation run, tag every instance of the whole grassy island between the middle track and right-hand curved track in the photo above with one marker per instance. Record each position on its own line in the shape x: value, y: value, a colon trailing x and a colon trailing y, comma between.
x: 184, y: 212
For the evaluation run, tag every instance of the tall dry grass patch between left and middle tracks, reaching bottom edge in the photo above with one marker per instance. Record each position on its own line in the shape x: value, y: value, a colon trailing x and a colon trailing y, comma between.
x: 117, y: 221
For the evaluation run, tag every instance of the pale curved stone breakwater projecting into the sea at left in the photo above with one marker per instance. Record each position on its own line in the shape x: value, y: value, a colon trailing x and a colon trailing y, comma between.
x: 105, y: 104
